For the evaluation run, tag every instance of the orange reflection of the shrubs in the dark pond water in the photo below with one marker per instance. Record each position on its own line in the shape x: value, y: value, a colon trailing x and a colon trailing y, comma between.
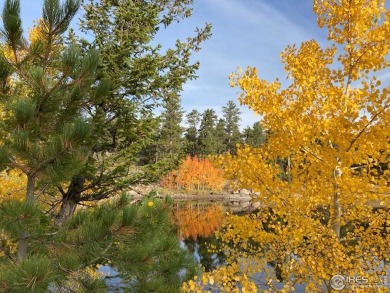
x: 194, y: 222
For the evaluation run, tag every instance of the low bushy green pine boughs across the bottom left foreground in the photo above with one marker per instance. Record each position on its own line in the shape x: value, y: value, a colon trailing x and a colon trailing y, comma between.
x: 137, y: 242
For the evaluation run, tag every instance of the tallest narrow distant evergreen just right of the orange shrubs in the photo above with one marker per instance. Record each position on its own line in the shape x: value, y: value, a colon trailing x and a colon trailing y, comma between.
x: 231, y: 114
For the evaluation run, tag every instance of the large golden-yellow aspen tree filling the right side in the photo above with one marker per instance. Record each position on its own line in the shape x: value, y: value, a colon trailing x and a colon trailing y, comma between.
x: 325, y: 210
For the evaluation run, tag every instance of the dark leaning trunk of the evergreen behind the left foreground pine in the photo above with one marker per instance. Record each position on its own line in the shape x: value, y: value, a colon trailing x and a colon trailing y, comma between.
x: 70, y: 200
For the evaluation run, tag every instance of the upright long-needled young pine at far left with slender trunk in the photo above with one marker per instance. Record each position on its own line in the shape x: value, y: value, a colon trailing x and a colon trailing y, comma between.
x: 45, y: 133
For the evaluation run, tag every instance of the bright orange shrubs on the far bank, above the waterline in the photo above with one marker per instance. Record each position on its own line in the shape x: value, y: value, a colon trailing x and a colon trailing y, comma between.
x: 194, y: 174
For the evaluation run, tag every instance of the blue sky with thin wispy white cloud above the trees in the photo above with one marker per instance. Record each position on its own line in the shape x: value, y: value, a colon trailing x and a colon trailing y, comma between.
x: 245, y: 32
